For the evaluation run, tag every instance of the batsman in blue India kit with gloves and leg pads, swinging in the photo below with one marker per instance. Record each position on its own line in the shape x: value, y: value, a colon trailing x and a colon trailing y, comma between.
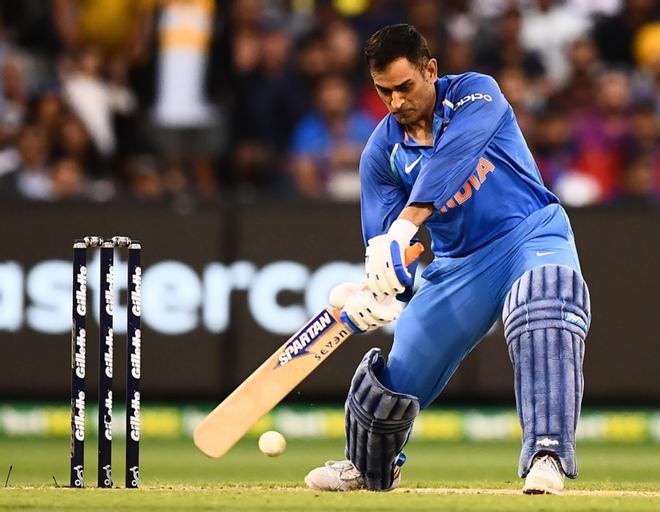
x: 450, y: 156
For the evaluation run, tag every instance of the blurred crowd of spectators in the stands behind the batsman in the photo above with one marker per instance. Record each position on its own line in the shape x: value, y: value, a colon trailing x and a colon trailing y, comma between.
x: 199, y: 99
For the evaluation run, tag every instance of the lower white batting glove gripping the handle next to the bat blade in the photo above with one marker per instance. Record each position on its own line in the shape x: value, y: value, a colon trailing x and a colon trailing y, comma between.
x: 361, y: 310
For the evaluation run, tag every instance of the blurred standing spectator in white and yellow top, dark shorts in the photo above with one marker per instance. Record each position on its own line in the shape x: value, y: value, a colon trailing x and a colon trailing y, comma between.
x: 189, y: 128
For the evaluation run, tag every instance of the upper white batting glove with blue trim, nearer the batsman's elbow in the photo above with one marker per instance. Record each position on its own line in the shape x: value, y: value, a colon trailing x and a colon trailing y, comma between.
x: 387, y: 274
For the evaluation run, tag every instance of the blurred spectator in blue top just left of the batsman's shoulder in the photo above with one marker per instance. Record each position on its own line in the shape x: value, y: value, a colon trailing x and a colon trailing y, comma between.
x: 327, y: 143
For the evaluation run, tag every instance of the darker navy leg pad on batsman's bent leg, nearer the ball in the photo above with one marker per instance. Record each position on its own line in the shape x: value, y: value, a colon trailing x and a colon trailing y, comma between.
x: 378, y: 423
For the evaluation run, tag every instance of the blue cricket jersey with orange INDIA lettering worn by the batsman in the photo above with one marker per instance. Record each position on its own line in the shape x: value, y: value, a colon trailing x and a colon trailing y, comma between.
x: 479, y: 174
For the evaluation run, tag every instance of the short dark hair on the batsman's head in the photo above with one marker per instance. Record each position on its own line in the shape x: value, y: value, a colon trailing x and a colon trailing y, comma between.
x: 393, y: 42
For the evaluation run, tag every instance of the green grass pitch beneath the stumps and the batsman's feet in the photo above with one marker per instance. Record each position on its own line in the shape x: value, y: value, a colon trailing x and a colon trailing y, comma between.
x: 437, y: 476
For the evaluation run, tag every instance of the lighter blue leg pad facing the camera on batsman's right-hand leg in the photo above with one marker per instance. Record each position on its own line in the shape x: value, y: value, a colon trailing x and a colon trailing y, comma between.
x: 546, y: 319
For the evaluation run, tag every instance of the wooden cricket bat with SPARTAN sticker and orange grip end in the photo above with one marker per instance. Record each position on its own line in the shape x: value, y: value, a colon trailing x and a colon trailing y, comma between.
x: 269, y: 384
